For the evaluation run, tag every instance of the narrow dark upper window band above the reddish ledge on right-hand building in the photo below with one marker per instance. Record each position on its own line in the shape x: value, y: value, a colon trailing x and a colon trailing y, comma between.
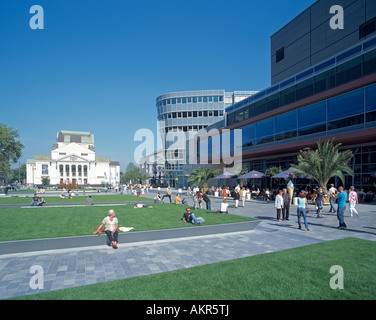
x: 349, y: 71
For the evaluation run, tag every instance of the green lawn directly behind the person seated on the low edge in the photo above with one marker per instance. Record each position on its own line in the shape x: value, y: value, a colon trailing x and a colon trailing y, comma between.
x: 45, y: 222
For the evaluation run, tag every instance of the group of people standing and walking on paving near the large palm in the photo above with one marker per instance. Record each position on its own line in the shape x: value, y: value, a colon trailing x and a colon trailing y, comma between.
x: 340, y: 197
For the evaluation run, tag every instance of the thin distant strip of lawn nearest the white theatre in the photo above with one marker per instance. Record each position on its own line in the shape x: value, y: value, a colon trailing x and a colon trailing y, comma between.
x: 75, y: 199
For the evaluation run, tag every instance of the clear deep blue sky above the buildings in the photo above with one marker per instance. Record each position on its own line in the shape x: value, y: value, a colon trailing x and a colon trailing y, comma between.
x: 99, y: 65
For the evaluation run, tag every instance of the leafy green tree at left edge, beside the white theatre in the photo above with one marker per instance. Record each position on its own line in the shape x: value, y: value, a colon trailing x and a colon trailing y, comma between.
x: 10, y: 149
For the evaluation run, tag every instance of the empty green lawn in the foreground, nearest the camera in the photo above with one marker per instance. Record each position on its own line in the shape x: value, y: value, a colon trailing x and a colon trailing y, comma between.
x: 295, y: 274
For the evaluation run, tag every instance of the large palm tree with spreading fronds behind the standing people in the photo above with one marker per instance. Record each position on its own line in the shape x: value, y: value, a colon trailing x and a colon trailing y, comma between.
x: 324, y: 163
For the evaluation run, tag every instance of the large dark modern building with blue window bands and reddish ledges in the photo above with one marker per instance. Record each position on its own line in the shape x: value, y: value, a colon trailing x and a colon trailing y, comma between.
x: 331, y: 98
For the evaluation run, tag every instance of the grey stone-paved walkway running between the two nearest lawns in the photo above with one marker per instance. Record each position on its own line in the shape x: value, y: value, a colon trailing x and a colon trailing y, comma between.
x: 70, y: 267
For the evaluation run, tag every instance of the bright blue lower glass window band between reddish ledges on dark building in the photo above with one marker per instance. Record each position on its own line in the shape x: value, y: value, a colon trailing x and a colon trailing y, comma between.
x: 349, y: 111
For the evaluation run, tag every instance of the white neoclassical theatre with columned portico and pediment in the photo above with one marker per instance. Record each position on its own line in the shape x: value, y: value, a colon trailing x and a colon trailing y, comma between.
x: 73, y: 161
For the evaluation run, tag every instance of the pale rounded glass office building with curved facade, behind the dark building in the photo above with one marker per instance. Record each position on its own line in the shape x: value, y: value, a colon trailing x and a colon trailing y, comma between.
x: 188, y: 112
